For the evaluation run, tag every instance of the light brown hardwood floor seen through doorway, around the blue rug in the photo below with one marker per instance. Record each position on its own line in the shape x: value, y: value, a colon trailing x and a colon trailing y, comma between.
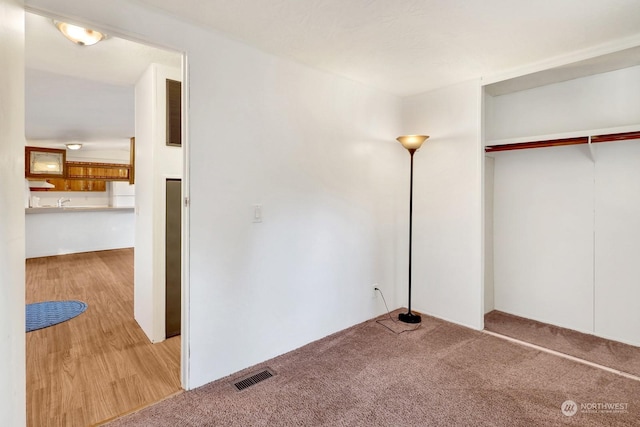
x: 100, y: 364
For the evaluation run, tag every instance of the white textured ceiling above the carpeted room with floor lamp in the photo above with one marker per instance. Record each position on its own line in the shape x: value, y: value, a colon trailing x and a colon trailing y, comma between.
x: 410, y: 46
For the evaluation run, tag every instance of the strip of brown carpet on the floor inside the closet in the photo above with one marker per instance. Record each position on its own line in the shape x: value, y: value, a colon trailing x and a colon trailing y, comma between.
x: 615, y: 355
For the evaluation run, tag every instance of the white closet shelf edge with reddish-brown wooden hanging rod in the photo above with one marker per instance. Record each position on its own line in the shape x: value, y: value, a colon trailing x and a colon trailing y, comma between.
x: 621, y: 133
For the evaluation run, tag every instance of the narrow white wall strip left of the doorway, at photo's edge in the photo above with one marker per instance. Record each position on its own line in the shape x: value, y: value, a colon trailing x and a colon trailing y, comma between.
x: 12, y: 347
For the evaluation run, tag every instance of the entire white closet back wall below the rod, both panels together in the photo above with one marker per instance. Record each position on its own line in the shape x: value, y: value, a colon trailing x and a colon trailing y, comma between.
x: 567, y: 237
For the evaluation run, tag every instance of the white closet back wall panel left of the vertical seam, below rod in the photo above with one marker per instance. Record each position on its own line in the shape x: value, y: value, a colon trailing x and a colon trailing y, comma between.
x: 543, y: 235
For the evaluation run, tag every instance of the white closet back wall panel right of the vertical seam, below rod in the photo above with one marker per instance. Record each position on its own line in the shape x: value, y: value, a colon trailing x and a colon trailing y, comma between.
x: 617, y: 241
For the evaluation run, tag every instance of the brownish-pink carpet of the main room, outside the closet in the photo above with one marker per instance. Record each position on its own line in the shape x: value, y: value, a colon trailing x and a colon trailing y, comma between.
x: 440, y: 374
